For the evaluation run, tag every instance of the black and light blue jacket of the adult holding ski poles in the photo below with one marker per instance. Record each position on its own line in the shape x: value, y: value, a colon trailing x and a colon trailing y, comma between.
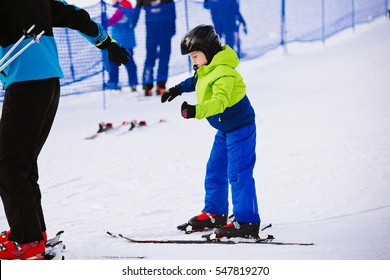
x: 40, y: 61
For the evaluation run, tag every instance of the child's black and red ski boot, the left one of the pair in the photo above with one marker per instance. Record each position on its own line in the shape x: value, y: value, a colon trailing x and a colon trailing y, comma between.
x: 204, y: 221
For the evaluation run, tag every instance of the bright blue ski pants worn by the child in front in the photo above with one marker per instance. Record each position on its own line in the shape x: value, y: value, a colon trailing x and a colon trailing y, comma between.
x: 231, y: 161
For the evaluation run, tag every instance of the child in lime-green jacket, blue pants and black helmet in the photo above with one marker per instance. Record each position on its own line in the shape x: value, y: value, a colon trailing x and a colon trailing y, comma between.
x: 221, y: 98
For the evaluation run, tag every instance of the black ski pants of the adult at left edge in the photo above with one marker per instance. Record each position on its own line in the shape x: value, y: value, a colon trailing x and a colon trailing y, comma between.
x: 28, y: 113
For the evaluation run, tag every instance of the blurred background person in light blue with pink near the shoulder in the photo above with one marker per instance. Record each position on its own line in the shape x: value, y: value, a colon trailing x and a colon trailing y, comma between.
x: 121, y: 23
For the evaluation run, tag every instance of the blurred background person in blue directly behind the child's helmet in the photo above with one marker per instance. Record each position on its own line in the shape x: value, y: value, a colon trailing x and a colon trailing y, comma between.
x: 227, y: 19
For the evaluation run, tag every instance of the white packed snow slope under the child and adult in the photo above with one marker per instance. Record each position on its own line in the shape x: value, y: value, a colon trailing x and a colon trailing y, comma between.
x: 322, y: 172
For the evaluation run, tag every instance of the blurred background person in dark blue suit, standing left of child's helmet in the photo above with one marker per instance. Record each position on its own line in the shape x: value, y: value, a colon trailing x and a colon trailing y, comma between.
x: 160, y: 28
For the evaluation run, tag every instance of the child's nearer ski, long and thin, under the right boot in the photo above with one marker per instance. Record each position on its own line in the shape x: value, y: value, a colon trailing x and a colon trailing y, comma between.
x: 207, y: 241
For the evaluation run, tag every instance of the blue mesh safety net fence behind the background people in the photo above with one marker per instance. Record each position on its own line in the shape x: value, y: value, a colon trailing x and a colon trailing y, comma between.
x: 269, y: 25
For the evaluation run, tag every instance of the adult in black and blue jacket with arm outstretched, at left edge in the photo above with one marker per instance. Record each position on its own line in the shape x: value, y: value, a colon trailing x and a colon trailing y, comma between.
x: 32, y: 93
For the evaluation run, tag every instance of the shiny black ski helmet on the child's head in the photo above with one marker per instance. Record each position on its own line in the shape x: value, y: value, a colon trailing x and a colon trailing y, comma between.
x: 201, y: 38
